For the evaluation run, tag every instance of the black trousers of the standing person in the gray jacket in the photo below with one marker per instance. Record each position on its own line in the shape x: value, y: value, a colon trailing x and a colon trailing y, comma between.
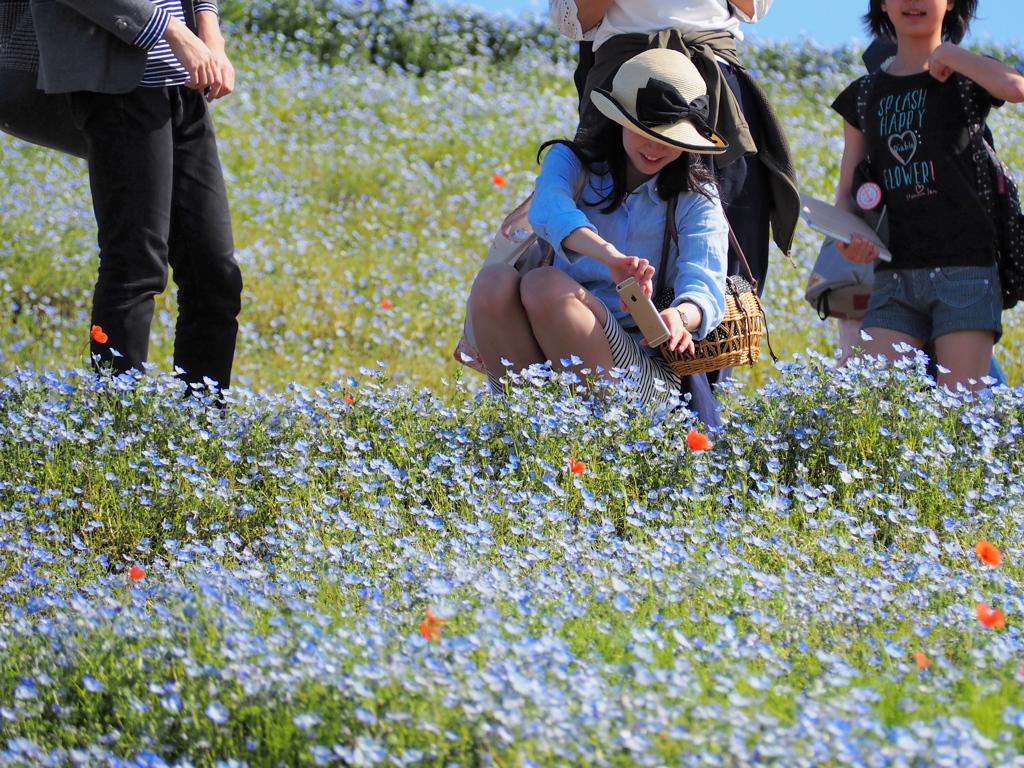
x: 158, y: 193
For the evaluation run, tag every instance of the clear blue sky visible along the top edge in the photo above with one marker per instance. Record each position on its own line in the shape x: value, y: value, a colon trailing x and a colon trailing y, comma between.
x: 829, y: 22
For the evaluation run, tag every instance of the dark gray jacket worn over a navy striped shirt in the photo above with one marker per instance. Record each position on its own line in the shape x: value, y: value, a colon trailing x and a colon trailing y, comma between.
x: 87, y: 46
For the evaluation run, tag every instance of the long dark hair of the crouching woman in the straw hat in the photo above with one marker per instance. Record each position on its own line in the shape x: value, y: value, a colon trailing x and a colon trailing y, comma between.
x: 602, y: 152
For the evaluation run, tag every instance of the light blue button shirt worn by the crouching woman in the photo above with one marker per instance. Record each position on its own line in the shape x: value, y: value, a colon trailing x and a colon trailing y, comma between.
x: 636, y: 229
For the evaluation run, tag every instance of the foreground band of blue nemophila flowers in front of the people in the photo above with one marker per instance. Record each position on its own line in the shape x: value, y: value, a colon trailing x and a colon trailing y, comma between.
x: 367, y: 575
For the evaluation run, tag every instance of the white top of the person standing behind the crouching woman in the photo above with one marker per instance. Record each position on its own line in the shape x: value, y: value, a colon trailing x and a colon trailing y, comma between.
x: 650, y: 17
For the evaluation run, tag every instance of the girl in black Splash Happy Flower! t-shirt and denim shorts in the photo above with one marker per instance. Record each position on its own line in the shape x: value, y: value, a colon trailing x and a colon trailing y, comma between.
x: 943, y: 284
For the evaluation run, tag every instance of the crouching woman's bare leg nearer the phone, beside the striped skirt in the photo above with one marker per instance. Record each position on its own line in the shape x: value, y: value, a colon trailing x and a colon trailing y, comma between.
x: 568, y: 320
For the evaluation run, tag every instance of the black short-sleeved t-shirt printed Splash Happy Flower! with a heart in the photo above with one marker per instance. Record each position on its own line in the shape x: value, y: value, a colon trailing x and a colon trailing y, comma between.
x: 911, y: 126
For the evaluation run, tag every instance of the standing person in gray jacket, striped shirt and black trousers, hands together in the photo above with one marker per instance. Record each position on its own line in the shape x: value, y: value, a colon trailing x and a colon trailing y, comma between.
x: 139, y: 75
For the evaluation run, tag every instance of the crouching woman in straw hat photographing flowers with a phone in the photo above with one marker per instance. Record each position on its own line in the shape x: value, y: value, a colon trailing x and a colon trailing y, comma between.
x: 637, y: 169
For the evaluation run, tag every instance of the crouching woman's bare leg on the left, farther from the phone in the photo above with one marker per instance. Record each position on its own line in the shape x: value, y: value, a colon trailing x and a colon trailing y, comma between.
x: 500, y: 323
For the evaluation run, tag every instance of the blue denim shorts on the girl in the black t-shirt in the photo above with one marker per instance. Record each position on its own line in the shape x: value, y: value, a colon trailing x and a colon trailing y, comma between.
x: 935, y: 302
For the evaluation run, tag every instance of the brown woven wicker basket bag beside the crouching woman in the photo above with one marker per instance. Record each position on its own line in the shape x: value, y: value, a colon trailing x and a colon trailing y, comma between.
x: 737, y: 342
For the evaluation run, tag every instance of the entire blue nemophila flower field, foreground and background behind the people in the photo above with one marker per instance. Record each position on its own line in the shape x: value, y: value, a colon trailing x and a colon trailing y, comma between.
x: 363, y: 560
